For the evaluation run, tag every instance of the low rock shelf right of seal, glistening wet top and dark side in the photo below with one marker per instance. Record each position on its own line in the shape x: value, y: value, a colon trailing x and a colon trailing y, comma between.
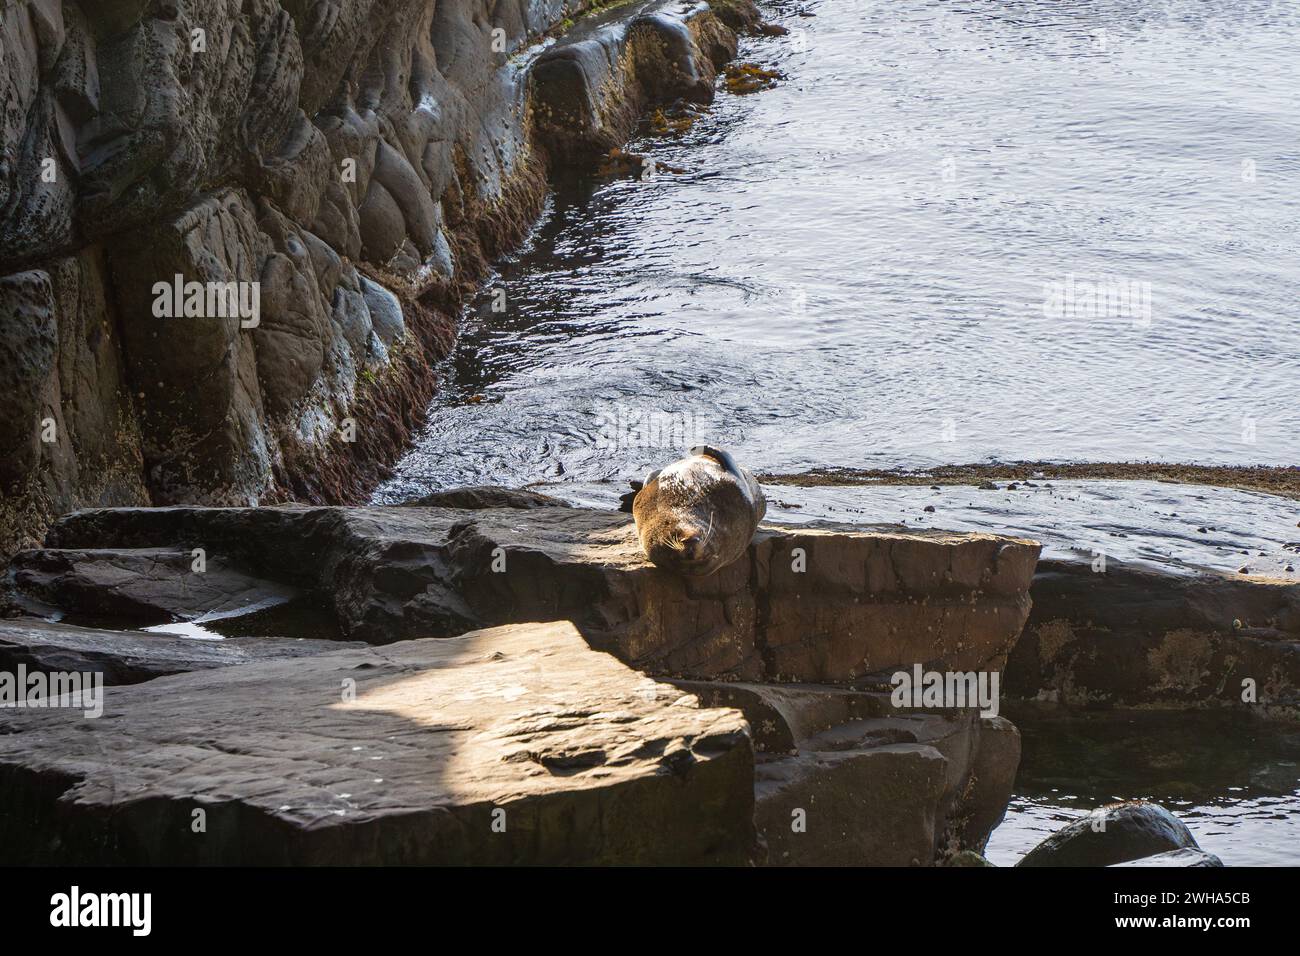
x: 1147, y: 596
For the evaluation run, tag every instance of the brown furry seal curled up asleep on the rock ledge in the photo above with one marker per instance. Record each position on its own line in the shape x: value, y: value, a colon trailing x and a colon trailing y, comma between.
x: 699, y: 514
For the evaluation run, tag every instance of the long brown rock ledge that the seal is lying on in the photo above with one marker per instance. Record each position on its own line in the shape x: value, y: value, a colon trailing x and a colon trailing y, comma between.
x: 826, y: 604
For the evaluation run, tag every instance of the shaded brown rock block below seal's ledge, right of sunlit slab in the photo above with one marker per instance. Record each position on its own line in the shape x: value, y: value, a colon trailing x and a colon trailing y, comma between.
x: 847, y: 780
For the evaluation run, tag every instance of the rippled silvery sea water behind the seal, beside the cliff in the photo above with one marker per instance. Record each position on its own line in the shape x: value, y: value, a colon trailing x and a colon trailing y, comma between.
x: 866, y: 266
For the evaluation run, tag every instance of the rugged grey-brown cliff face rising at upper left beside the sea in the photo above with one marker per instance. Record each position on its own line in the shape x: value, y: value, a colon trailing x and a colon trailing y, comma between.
x: 235, y: 236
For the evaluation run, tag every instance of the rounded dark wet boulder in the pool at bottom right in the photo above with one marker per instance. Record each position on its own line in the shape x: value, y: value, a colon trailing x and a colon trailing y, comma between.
x: 1111, y: 836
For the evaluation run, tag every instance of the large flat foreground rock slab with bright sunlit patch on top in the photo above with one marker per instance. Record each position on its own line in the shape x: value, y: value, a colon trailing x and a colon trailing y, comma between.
x: 512, y: 746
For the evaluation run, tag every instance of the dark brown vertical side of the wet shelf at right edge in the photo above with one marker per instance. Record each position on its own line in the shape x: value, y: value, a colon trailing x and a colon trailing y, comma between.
x: 1143, y: 637
